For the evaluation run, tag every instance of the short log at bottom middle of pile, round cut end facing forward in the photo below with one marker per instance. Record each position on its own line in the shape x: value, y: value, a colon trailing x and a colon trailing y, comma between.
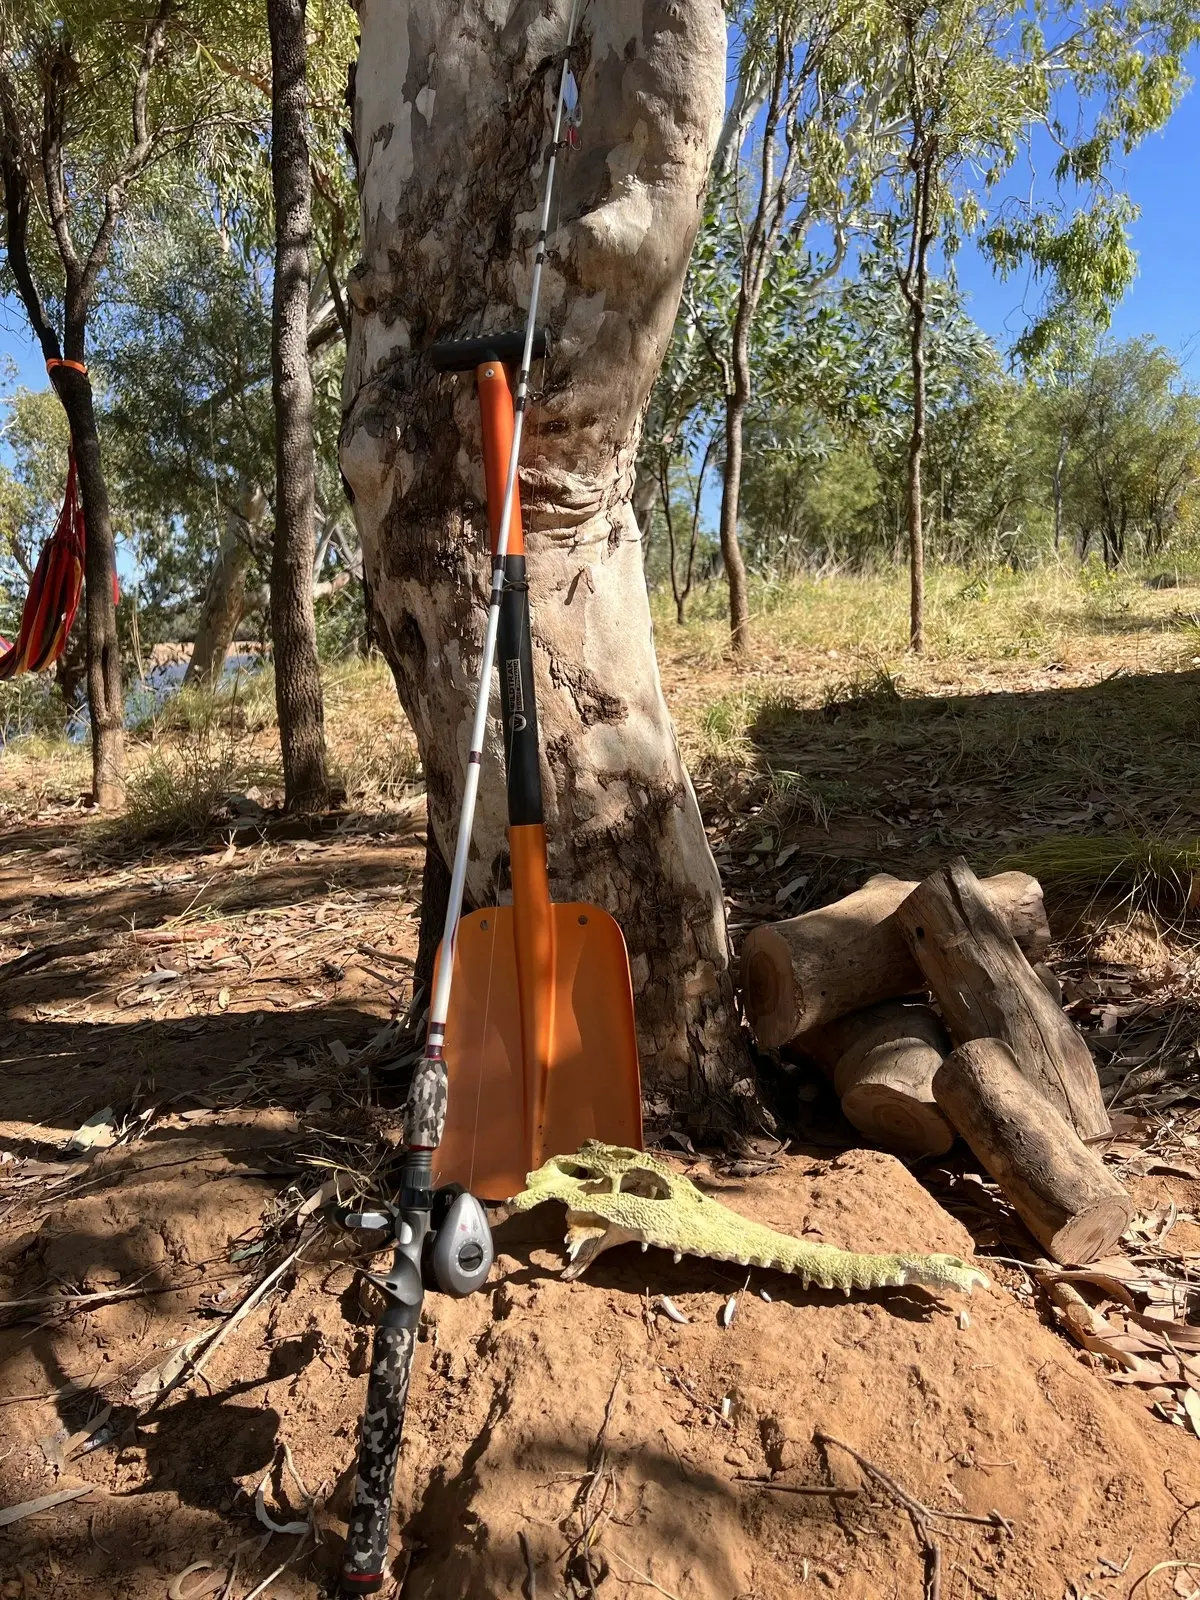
x: 882, y: 1063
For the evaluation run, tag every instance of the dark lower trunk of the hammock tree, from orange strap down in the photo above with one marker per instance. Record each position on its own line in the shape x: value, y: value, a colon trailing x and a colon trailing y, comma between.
x: 106, y: 695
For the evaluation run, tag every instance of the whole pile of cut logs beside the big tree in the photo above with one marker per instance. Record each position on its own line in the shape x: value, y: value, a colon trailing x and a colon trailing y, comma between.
x: 930, y: 1010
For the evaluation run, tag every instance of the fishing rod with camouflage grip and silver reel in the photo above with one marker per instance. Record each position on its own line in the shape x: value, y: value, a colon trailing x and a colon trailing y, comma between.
x: 446, y: 1233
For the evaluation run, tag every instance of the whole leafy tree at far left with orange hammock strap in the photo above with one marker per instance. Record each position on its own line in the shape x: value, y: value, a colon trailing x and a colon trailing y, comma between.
x: 102, y: 106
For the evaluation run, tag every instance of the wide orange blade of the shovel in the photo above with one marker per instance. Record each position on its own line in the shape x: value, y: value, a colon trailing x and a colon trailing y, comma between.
x: 591, y: 1086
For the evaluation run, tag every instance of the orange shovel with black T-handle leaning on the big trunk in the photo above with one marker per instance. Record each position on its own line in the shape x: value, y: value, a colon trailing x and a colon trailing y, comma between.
x: 540, y: 1044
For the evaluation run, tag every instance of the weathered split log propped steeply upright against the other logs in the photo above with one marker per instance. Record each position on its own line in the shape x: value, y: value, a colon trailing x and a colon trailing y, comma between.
x: 986, y: 990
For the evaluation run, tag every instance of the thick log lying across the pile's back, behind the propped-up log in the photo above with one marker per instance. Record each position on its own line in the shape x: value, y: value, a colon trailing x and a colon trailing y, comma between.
x: 810, y: 970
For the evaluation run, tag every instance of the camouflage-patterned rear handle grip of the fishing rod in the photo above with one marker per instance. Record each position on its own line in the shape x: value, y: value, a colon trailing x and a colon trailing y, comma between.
x: 378, y: 1452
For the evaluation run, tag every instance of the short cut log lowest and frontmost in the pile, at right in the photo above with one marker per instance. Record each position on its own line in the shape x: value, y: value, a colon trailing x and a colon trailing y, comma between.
x: 1065, y: 1194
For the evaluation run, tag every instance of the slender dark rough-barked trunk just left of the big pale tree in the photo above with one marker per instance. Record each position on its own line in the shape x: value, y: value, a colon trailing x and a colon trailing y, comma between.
x: 294, y: 626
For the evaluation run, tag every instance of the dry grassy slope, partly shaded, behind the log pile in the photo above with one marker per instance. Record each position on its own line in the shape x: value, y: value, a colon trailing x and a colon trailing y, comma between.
x: 1052, y: 706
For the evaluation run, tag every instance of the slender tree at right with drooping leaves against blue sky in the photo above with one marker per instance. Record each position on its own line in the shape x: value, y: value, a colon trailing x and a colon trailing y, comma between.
x: 972, y: 87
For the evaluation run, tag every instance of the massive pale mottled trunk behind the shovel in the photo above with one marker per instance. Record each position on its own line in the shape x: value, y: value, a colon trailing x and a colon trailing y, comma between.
x: 444, y: 95
